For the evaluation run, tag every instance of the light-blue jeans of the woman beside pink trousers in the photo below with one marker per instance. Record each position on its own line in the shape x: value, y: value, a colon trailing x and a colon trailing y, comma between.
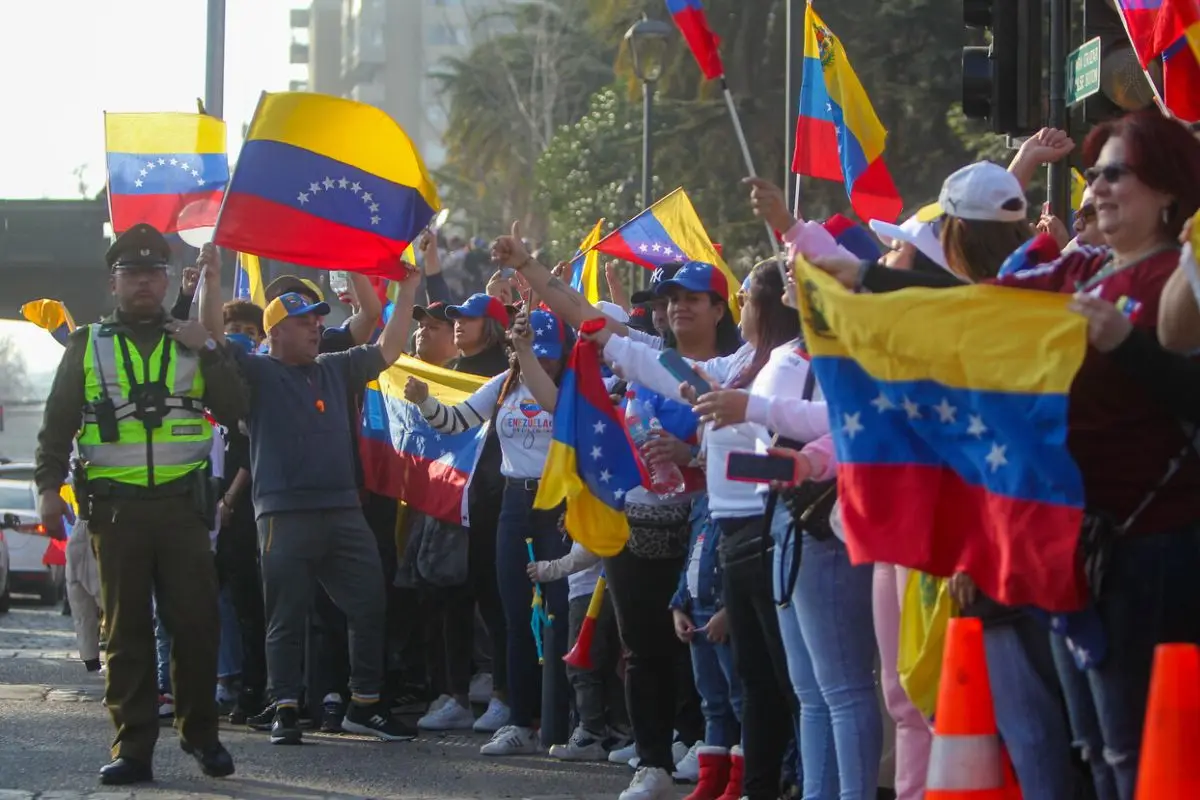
x: 830, y: 640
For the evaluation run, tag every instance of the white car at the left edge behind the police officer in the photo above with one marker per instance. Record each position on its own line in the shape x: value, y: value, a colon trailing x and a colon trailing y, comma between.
x: 27, y: 574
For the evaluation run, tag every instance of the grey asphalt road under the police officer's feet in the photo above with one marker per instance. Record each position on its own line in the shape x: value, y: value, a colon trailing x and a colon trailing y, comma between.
x: 55, y: 735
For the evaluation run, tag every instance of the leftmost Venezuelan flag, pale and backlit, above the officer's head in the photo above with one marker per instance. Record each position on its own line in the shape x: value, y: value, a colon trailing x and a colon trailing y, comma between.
x: 166, y: 170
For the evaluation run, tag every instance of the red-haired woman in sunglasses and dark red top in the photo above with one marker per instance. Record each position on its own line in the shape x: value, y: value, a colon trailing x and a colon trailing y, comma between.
x: 1145, y: 179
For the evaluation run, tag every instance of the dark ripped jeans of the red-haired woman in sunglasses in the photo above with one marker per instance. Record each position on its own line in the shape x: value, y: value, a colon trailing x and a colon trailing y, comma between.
x: 1150, y: 599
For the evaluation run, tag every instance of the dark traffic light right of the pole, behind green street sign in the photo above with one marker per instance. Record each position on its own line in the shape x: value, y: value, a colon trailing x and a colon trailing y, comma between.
x: 1124, y: 87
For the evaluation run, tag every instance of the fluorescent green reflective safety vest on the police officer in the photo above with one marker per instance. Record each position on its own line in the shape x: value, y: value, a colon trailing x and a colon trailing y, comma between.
x: 141, y: 458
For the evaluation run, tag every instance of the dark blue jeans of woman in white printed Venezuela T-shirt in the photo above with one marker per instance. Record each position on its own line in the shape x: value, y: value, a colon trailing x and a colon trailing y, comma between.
x: 519, y: 521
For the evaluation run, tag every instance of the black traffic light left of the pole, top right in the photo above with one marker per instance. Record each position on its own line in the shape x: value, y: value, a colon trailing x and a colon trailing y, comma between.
x: 1003, y: 82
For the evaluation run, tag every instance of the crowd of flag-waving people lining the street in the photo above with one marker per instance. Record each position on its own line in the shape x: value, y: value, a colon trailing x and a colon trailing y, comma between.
x: 737, y: 647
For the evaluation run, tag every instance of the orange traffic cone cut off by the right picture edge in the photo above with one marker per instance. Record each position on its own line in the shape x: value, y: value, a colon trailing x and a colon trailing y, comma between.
x: 1173, y: 726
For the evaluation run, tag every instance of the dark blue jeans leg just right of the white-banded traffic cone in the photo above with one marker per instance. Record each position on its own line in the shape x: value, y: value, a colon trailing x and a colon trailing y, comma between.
x: 1029, y: 711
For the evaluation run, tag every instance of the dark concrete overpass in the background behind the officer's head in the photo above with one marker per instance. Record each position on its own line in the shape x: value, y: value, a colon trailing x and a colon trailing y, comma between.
x: 56, y: 249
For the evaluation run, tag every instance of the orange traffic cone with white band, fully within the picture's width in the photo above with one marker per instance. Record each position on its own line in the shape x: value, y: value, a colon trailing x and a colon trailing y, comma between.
x: 967, y: 761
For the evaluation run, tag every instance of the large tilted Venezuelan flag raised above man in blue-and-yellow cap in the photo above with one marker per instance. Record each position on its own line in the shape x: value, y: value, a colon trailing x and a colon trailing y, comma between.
x: 327, y: 183
